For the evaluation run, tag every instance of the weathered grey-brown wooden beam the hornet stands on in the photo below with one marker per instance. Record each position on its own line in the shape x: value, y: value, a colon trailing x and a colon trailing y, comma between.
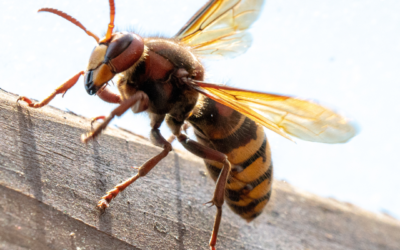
x: 50, y: 183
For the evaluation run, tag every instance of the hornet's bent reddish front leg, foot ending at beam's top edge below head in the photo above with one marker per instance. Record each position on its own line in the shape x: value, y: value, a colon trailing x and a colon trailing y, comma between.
x: 139, y: 101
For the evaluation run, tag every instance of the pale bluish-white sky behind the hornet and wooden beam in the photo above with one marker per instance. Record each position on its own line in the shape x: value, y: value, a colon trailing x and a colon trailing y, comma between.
x: 343, y: 53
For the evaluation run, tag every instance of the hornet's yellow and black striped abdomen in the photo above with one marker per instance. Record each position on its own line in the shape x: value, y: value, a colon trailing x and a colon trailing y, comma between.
x: 245, y: 144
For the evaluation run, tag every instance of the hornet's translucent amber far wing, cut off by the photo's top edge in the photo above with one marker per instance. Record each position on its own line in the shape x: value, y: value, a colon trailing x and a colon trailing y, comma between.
x: 219, y: 28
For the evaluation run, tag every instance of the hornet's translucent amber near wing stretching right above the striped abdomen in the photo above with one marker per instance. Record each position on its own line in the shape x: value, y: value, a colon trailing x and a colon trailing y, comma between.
x: 284, y: 115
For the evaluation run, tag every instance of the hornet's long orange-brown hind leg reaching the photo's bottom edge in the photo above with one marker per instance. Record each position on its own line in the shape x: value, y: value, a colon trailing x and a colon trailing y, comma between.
x: 218, y: 198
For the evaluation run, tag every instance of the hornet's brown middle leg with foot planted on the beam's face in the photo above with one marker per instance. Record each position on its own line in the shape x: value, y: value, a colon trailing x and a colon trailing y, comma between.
x: 158, y: 140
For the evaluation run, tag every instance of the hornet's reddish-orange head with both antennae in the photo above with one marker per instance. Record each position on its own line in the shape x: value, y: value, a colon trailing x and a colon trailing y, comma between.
x: 115, y: 53
